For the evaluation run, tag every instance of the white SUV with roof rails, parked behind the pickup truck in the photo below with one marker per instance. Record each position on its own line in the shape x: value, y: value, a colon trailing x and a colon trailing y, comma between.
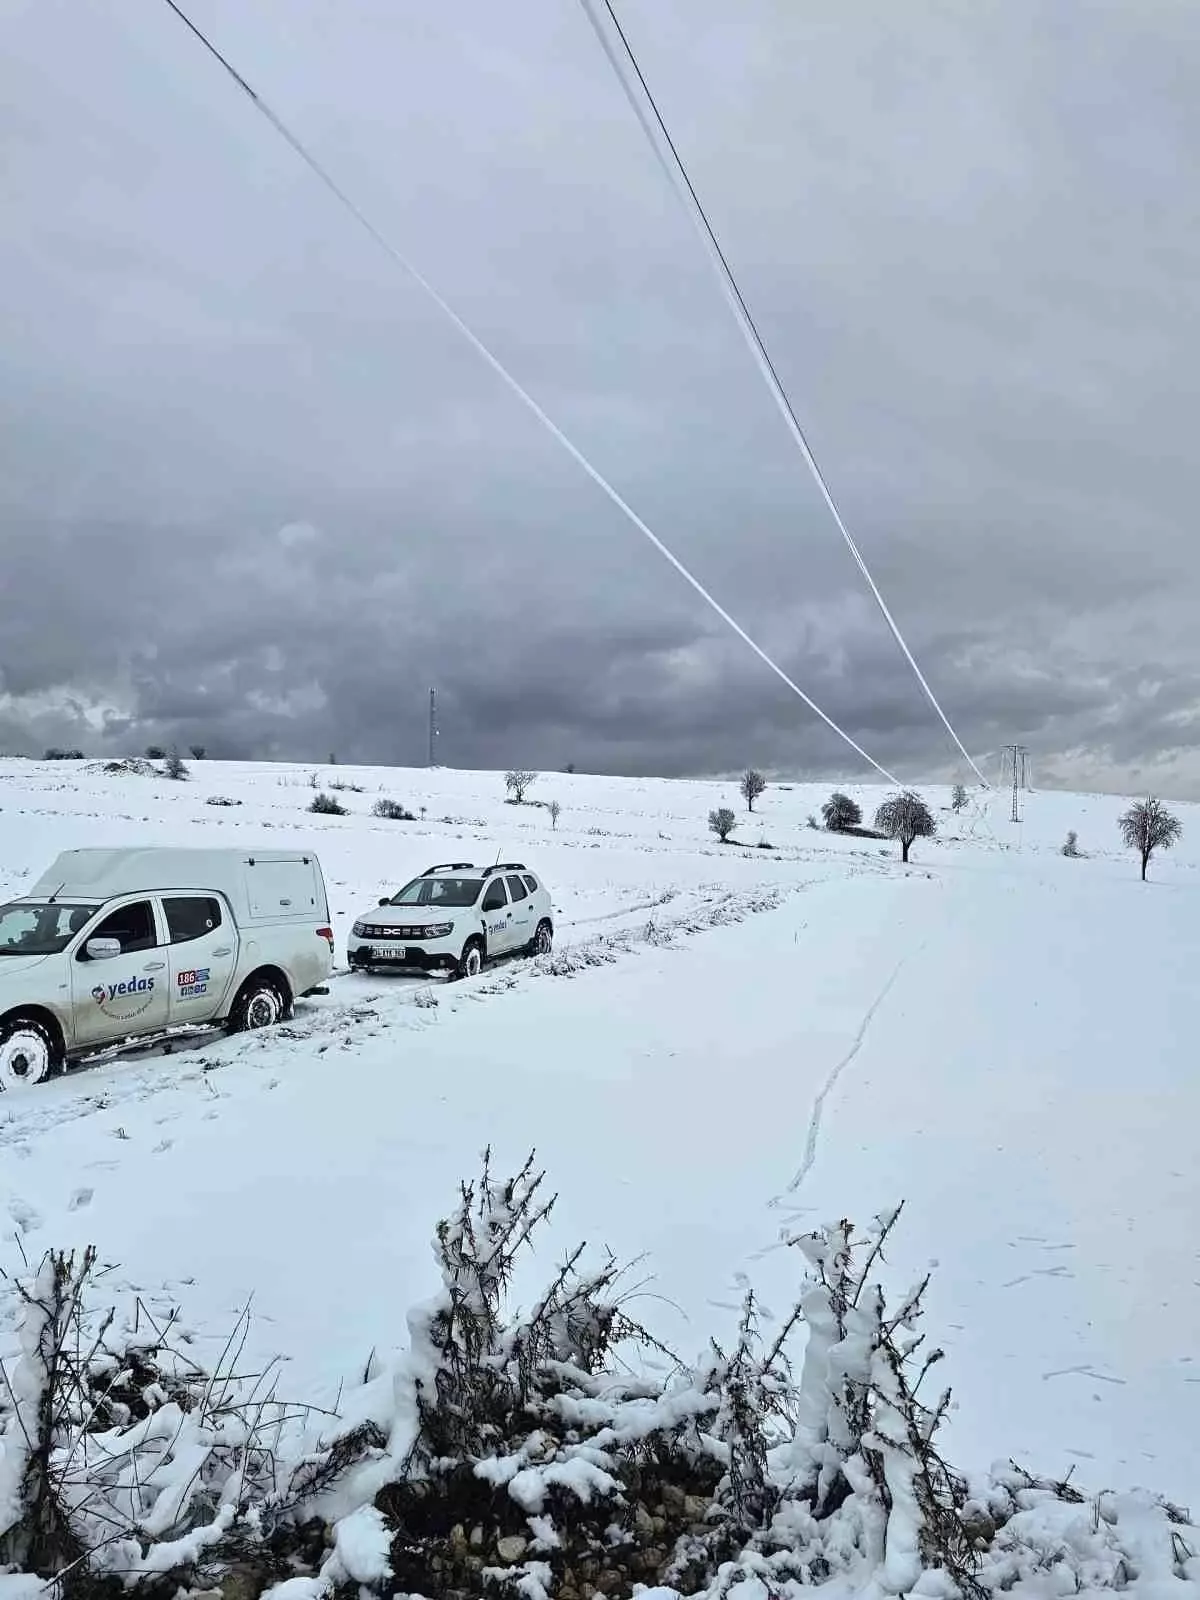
x: 454, y: 919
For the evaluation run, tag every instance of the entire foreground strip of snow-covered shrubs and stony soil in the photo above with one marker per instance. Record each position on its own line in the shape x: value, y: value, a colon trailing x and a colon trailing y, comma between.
x: 540, y: 1452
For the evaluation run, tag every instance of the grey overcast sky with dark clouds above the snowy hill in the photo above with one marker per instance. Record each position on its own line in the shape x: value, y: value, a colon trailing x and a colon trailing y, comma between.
x: 257, y: 494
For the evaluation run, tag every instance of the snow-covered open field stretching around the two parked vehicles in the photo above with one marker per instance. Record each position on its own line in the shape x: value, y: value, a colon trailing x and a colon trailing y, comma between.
x: 998, y: 1036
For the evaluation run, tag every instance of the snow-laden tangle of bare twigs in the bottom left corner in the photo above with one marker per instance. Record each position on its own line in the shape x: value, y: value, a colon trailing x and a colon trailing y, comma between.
x: 119, y: 1454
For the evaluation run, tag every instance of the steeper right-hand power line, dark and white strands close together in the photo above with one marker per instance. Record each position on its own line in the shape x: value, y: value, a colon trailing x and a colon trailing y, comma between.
x: 678, y: 174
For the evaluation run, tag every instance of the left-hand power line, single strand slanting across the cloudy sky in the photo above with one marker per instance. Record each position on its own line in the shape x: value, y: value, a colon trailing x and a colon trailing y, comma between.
x: 522, y: 394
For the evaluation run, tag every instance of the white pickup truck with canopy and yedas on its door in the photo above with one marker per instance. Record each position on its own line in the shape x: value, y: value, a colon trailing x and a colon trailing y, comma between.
x: 124, y: 945
